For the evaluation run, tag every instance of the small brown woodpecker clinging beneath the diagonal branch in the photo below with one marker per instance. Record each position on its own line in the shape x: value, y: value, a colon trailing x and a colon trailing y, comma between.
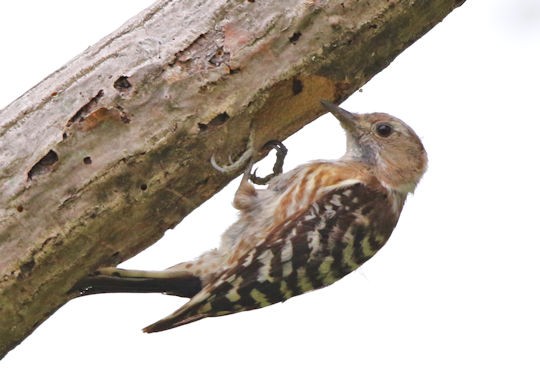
x: 306, y: 229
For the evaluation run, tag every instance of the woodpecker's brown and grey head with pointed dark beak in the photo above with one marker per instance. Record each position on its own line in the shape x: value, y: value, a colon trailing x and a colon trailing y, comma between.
x: 386, y: 144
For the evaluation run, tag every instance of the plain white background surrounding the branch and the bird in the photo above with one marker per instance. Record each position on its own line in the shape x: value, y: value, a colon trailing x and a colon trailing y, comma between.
x: 455, y: 293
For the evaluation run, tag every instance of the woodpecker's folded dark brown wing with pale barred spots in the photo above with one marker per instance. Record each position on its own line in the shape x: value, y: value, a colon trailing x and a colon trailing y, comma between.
x: 312, y: 249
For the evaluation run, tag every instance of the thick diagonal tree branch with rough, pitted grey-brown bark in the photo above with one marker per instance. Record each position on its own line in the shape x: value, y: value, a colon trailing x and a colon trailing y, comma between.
x: 107, y: 153
